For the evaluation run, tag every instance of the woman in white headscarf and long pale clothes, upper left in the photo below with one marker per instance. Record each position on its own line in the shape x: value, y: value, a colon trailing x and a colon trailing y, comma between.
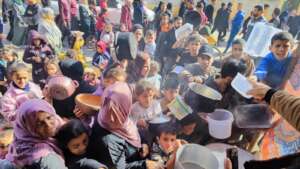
x: 49, y: 29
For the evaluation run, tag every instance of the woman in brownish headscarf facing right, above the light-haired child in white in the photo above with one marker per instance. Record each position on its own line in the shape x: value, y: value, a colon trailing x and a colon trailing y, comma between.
x: 139, y: 69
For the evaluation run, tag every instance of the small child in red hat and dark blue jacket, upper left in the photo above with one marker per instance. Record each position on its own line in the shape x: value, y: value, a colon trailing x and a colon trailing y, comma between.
x: 101, y: 58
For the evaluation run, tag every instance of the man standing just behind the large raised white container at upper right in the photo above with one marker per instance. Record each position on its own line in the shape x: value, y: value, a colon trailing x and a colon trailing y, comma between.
x: 257, y: 16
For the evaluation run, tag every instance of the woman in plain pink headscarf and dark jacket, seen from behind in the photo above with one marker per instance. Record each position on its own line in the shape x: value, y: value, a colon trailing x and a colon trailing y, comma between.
x: 115, y: 136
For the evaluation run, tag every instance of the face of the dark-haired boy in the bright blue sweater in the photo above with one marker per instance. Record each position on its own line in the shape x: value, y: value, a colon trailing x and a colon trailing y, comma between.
x: 280, y: 49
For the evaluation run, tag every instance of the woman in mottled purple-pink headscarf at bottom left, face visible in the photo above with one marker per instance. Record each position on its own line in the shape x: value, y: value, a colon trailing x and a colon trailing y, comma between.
x: 33, y: 145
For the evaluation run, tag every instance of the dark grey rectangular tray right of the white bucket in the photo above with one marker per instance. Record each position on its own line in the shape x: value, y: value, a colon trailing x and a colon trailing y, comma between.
x: 253, y: 116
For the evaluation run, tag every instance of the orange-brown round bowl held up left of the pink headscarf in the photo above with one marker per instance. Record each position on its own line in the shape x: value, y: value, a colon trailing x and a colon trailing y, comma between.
x: 88, y: 103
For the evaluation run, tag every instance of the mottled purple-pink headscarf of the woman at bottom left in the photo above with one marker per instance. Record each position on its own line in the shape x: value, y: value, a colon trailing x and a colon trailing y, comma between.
x: 28, y: 146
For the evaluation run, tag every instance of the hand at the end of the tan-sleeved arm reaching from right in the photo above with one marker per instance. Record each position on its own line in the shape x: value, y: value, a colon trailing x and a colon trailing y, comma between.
x: 259, y: 90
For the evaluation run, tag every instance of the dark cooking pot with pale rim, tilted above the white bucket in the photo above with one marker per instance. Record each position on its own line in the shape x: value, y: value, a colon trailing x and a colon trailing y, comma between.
x: 201, y: 98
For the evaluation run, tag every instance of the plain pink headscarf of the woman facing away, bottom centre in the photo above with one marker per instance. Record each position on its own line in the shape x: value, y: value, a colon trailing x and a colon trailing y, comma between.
x: 114, y: 113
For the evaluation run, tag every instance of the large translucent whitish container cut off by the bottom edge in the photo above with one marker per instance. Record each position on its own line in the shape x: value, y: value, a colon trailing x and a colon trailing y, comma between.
x: 193, y: 156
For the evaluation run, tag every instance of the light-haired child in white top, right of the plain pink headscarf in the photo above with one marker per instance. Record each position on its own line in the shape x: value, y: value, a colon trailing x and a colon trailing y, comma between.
x: 146, y: 107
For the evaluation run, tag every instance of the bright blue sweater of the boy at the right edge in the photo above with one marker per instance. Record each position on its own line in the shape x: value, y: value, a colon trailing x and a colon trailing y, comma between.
x: 275, y: 69
